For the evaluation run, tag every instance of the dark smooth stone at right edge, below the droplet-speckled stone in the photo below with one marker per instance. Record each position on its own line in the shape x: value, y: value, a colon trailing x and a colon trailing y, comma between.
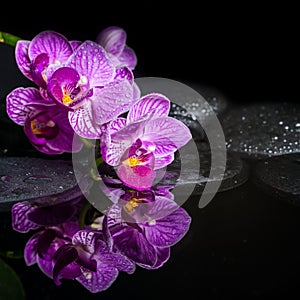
x: 280, y: 177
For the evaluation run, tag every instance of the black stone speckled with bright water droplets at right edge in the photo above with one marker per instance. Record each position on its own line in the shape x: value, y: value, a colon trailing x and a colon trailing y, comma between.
x: 263, y: 130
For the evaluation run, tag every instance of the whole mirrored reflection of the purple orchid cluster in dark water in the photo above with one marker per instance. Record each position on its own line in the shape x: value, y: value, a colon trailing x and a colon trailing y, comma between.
x: 137, y: 228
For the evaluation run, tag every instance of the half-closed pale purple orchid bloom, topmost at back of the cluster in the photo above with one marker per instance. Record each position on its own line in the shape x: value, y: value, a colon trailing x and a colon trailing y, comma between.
x: 113, y: 40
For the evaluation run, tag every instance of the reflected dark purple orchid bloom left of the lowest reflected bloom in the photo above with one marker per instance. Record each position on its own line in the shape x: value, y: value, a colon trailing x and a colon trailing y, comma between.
x: 42, y: 246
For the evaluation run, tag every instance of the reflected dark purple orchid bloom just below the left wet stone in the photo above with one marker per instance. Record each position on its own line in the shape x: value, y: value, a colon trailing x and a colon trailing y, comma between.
x: 47, y: 211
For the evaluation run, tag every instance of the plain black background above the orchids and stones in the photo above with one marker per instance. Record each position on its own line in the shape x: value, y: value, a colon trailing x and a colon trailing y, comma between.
x: 249, y: 52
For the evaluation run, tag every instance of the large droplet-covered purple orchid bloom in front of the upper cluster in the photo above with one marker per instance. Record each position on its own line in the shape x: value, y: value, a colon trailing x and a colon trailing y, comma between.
x: 94, y: 91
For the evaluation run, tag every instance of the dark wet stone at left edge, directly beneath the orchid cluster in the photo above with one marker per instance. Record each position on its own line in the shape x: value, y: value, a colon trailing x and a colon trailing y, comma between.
x: 26, y: 178
